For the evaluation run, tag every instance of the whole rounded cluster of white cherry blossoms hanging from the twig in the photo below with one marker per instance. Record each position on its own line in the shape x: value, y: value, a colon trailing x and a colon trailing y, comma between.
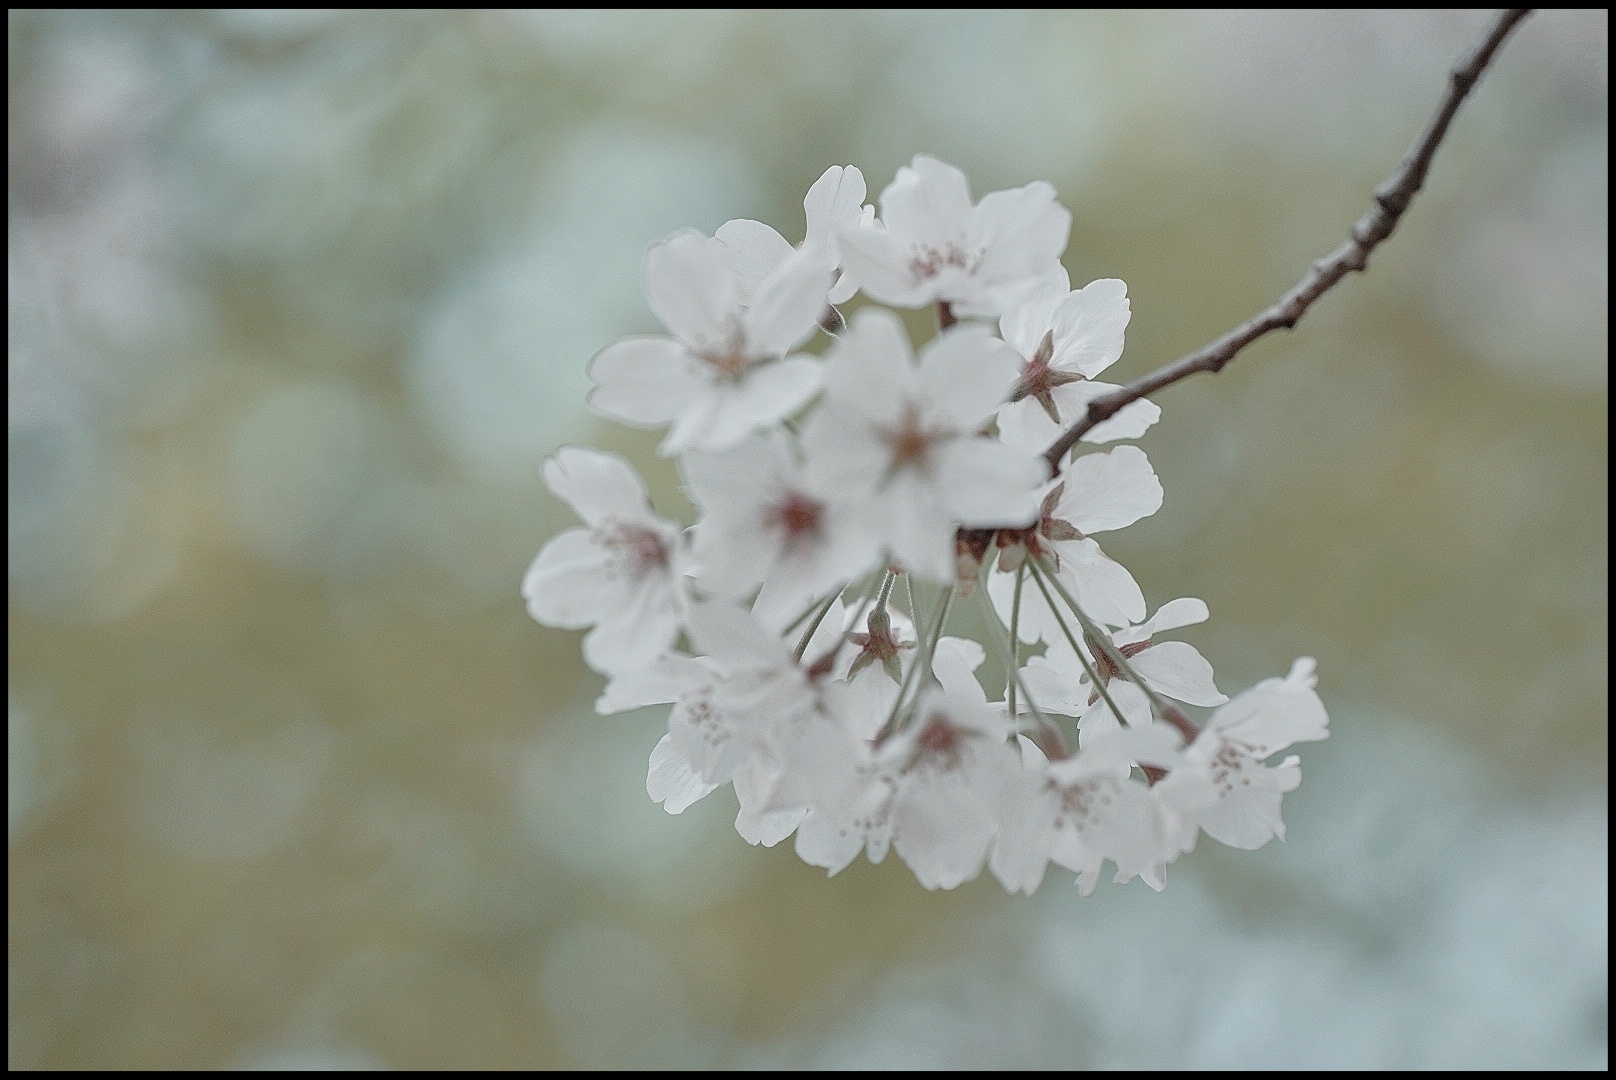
x: 852, y: 500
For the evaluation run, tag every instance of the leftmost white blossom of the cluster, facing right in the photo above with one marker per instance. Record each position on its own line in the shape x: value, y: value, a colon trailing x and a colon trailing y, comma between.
x: 620, y: 575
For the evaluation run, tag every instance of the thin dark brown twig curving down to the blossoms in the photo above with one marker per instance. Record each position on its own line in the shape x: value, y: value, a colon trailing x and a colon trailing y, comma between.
x: 1392, y: 200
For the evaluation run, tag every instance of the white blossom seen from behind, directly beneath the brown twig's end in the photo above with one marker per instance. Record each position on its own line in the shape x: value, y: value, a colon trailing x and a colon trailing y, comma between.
x: 1066, y: 340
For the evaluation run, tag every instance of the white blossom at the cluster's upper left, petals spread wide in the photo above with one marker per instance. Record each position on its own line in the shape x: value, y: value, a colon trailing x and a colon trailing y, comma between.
x: 725, y: 373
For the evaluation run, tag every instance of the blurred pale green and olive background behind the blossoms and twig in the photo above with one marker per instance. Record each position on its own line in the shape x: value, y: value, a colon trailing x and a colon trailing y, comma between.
x: 300, y: 303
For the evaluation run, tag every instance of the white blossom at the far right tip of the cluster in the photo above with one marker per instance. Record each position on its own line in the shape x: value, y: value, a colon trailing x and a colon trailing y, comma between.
x: 1226, y: 785
